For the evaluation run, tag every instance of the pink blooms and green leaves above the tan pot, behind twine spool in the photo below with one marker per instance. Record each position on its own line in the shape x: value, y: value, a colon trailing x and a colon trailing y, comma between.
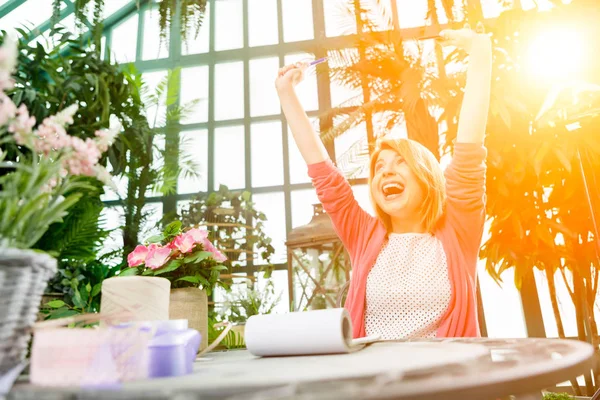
x: 187, y: 258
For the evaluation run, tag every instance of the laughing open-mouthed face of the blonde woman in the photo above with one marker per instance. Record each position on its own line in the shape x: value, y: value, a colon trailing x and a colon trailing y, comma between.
x: 394, y: 187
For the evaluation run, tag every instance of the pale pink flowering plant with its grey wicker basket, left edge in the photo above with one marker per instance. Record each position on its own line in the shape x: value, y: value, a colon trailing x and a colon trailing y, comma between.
x: 48, y: 170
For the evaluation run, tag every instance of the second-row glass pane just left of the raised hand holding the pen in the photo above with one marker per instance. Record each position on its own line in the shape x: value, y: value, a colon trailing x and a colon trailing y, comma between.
x: 263, y: 96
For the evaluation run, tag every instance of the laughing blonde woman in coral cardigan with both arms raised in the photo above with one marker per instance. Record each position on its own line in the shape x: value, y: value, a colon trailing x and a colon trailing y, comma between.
x: 414, y: 265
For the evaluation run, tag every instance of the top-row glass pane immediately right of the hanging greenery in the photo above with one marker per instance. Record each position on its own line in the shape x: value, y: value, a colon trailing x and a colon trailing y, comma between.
x: 228, y: 25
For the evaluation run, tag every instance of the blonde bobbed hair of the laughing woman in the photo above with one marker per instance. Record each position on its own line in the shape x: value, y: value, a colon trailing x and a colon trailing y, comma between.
x: 428, y: 172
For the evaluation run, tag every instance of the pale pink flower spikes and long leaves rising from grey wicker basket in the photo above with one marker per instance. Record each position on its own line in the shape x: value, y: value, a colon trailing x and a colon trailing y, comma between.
x: 50, y: 169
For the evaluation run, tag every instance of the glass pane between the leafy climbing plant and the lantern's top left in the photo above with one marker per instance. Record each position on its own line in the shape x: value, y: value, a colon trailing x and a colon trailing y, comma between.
x: 272, y: 205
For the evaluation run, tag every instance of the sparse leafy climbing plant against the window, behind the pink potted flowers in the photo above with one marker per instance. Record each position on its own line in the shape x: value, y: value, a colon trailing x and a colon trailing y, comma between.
x: 234, y: 224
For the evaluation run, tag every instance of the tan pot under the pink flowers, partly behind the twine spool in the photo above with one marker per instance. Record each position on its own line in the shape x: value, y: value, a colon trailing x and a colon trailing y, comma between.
x: 191, y: 304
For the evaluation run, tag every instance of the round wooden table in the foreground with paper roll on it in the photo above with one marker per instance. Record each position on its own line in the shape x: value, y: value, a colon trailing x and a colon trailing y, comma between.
x: 414, y: 369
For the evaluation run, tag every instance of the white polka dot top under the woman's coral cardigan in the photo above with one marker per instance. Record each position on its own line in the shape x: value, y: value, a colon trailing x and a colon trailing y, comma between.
x: 408, y: 289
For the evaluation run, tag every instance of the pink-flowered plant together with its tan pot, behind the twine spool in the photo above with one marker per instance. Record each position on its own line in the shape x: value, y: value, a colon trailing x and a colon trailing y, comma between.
x: 190, y: 262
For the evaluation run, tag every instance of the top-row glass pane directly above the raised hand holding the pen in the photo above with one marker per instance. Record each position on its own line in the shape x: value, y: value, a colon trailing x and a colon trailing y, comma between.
x: 297, y: 20
